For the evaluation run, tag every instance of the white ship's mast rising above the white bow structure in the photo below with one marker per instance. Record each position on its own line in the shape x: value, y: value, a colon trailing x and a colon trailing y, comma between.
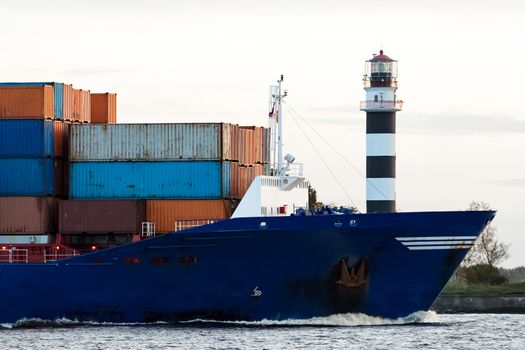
x: 275, y: 122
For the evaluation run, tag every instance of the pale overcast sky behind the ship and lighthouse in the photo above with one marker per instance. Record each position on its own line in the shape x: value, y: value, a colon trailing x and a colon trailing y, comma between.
x: 460, y: 137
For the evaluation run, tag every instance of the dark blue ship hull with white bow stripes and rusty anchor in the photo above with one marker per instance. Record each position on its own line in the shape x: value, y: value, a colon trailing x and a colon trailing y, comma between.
x: 293, y: 267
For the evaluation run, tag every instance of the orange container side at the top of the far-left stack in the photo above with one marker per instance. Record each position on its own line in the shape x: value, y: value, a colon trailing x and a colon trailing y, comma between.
x: 26, y: 102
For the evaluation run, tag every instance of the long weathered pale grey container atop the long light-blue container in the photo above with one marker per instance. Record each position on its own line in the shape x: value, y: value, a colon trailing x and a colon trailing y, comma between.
x: 146, y: 142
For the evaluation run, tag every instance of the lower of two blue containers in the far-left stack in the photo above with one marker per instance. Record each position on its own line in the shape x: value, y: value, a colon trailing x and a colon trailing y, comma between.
x: 27, y: 177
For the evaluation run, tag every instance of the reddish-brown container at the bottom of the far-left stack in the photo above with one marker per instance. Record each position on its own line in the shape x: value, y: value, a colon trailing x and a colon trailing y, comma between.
x: 25, y: 215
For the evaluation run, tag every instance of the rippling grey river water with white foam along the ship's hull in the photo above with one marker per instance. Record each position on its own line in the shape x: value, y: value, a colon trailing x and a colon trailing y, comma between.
x: 422, y: 330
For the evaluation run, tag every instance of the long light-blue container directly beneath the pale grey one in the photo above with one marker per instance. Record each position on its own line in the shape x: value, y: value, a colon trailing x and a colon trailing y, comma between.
x: 149, y: 180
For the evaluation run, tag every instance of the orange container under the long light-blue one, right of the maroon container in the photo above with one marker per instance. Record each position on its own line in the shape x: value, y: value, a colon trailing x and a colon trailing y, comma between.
x: 164, y: 213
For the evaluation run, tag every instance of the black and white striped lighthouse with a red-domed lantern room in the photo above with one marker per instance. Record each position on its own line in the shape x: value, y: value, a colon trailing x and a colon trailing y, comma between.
x: 381, y: 105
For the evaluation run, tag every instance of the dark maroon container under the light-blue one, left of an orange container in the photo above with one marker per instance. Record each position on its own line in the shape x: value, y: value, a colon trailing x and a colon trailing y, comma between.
x: 101, y: 216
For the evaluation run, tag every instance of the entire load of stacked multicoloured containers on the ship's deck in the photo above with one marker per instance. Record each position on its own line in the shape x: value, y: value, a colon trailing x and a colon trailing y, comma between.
x: 67, y: 167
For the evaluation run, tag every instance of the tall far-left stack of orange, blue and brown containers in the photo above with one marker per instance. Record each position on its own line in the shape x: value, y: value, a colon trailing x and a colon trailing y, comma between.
x: 35, y: 119
